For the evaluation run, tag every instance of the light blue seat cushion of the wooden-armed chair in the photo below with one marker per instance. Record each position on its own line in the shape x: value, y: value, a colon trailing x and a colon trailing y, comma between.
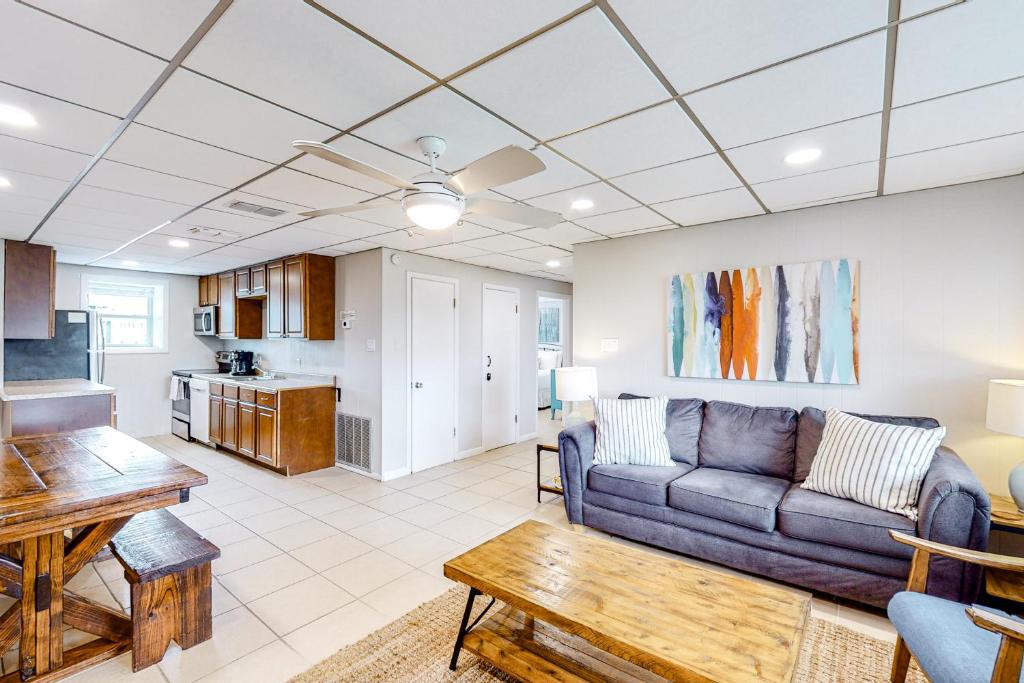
x: 946, y: 643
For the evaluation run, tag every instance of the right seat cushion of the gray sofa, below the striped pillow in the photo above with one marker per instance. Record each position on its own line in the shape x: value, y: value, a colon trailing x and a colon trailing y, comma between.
x: 814, y: 517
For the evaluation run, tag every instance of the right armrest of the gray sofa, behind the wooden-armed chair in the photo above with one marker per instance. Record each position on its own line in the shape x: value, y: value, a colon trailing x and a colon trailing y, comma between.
x: 954, y: 509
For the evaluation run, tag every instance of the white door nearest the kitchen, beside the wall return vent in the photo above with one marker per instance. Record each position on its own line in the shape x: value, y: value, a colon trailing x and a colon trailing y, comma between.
x: 433, y: 368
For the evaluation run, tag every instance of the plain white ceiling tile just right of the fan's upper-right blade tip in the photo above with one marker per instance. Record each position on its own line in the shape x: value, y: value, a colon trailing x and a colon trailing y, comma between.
x: 656, y: 137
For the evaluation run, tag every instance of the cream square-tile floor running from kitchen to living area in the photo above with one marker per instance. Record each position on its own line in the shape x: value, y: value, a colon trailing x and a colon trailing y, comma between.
x: 313, y: 564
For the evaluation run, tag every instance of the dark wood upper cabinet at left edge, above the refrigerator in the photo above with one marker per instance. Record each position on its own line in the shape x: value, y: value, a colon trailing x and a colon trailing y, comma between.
x: 30, y: 273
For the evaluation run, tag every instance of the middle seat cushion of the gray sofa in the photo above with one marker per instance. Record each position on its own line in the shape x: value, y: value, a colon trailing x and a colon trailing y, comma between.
x: 740, y: 498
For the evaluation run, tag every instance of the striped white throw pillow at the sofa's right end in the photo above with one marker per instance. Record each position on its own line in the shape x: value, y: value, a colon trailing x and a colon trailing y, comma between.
x: 877, y: 464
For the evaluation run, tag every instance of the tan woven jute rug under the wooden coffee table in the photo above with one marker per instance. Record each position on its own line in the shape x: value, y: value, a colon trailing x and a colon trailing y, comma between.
x: 418, y: 648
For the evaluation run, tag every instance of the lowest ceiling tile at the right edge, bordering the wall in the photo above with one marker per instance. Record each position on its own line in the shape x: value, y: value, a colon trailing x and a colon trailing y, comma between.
x: 963, y: 163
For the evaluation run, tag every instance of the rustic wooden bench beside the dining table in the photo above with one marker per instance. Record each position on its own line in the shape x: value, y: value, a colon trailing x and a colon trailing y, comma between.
x: 168, y: 567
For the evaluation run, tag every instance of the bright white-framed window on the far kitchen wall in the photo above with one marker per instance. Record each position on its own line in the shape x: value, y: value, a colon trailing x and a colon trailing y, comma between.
x: 132, y: 314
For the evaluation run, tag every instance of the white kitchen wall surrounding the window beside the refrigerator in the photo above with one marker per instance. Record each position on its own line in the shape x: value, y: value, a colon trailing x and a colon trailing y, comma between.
x: 143, y: 379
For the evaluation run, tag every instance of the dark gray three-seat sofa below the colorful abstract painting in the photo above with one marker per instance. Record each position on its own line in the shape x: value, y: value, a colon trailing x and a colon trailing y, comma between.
x: 734, y: 497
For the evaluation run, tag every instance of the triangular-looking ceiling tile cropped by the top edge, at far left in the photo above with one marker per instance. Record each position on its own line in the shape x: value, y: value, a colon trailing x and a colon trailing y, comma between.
x: 155, y: 26
